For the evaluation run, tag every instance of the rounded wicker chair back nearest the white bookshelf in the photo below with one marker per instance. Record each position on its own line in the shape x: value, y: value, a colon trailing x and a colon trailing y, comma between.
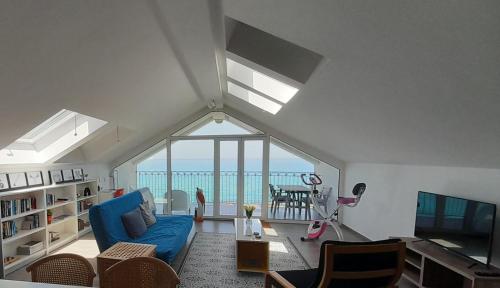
x: 64, y: 269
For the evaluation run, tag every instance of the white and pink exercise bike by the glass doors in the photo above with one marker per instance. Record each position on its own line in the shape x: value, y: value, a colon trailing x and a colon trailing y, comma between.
x: 318, y: 227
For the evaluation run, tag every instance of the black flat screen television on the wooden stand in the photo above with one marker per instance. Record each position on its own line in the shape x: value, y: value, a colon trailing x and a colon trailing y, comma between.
x: 460, y: 225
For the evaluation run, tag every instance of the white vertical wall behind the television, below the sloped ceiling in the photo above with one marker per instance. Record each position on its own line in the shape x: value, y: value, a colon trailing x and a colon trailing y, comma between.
x: 389, y: 204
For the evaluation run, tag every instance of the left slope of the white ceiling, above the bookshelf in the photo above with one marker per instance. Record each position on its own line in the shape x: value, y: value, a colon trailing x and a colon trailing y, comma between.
x: 107, y: 59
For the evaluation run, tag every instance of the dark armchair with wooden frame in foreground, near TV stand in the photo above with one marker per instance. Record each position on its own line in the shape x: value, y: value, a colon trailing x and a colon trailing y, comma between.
x: 348, y: 264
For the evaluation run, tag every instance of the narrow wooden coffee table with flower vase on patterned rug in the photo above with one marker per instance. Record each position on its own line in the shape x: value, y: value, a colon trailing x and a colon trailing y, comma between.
x: 252, y: 254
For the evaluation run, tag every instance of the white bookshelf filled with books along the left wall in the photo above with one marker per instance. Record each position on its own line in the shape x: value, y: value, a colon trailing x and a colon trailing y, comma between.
x: 65, y: 213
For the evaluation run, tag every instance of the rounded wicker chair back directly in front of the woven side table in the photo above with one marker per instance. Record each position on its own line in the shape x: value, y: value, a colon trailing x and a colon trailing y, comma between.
x: 140, y: 272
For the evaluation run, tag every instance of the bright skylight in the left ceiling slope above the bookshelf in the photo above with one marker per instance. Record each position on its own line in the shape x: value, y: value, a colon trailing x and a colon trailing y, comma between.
x: 51, y: 139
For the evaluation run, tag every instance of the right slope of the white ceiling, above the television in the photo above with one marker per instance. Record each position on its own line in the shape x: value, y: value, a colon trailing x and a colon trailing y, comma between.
x: 403, y: 82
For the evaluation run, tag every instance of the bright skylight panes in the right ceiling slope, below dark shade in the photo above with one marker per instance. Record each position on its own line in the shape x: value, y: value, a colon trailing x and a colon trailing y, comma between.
x: 257, y: 88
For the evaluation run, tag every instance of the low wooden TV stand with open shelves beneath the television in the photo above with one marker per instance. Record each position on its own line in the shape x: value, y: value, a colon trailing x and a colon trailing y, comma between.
x: 428, y: 265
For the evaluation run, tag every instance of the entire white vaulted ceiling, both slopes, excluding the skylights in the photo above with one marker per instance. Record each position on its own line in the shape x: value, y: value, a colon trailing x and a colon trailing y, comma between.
x: 402, y: 81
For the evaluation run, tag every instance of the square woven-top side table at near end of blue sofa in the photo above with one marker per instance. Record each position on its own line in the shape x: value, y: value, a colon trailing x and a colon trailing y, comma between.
x: 122, y: 251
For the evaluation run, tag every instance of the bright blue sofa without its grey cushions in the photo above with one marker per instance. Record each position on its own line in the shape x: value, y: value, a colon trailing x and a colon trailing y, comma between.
x: 169, y: 233
